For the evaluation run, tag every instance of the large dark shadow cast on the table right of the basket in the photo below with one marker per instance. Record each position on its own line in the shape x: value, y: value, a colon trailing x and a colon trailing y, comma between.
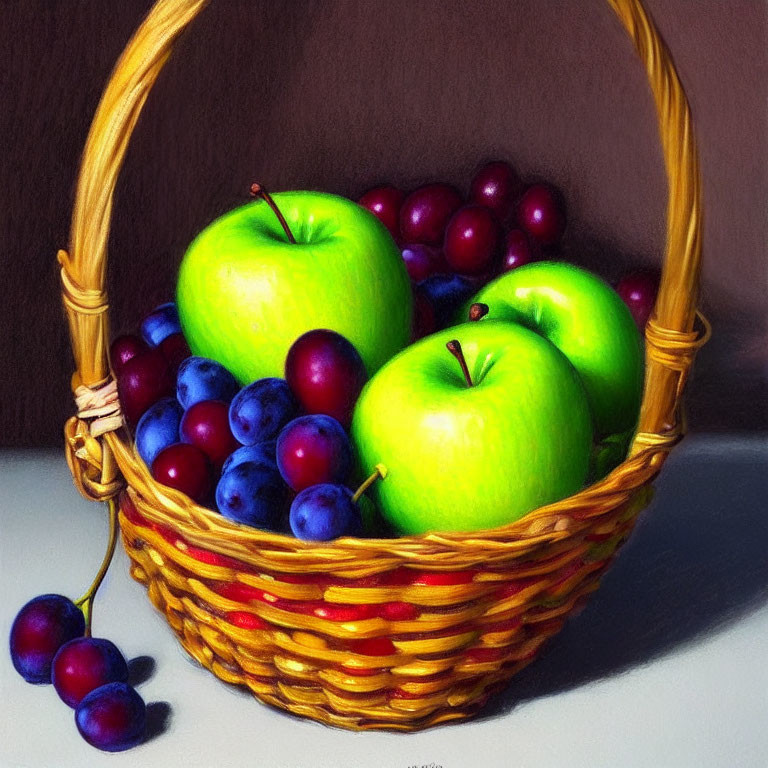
x: 696, y: 560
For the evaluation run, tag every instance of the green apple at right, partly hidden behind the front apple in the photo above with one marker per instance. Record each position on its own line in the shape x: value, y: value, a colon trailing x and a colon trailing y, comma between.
x: 588, y: 322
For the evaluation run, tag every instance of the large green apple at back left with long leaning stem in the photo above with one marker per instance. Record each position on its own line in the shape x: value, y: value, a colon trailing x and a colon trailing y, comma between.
x: 245, y: 293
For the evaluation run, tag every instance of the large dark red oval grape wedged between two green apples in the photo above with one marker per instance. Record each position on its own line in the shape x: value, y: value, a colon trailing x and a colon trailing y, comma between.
x: 325, y: 373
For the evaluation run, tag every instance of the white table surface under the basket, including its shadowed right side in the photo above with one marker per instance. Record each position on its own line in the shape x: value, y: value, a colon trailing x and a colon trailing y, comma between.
x: 667, y: 666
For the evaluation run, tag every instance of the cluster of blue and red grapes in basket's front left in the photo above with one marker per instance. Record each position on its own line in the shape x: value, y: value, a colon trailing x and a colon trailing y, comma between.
x: 277, y: 445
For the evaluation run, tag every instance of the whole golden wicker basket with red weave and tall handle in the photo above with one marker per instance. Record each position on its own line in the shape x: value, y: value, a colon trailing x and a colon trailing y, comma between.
x: 361, y: 633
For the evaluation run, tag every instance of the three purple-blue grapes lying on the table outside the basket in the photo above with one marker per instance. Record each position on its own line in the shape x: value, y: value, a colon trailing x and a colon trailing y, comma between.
x: 50, y: 643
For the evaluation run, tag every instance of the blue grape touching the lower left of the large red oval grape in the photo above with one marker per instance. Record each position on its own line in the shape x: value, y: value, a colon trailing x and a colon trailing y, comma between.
x: 259, y: 411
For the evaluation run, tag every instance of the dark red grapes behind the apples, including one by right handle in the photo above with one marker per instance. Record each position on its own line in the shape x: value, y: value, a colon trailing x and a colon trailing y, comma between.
x: 452, y: 246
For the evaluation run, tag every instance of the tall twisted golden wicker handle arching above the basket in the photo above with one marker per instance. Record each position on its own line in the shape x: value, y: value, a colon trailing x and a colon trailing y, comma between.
x: 671, y: 341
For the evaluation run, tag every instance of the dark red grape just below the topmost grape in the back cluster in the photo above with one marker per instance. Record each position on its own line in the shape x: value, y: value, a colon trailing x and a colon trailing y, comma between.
x: 471, y: 239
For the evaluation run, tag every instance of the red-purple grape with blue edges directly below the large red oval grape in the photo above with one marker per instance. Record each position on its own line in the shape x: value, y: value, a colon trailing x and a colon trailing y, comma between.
x: 313, y: 450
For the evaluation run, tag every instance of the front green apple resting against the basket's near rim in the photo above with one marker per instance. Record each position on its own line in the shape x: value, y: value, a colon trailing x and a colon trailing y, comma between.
x: 462, y: 458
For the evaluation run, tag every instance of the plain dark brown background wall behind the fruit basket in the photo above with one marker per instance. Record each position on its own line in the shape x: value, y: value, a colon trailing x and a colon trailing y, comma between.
x: 342, y: 94
